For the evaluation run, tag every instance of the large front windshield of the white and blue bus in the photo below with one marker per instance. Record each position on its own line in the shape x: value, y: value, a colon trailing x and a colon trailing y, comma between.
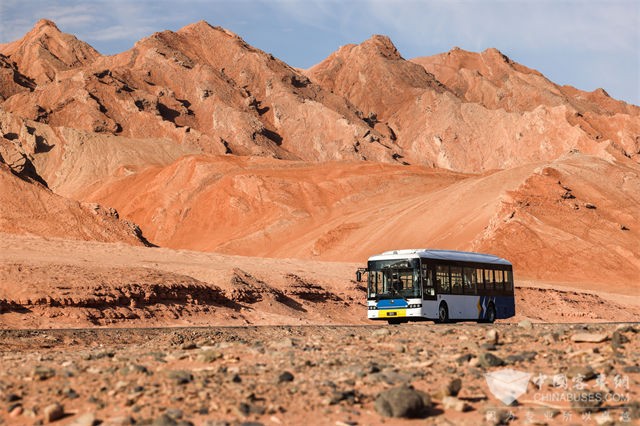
x: 390, y: 279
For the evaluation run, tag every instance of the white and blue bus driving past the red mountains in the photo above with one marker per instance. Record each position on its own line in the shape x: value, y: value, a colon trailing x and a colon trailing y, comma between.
x: 439, y: 285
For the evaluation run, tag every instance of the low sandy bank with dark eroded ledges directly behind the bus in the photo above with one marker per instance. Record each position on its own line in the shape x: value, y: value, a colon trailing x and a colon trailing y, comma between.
x: 56, y: 283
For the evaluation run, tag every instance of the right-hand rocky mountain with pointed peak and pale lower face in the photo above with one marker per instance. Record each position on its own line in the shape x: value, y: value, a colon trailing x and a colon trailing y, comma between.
x: 474, y: 112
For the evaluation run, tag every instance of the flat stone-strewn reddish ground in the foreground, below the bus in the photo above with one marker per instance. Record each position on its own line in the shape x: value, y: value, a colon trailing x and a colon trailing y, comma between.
x: 323, y: 375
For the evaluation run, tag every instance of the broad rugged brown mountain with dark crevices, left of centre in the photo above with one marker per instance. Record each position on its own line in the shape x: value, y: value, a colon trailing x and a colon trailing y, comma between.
x: 229, y: 99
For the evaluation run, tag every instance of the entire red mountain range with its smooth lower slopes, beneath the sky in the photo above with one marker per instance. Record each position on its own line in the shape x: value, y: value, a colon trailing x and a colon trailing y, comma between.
x: 208, y: 143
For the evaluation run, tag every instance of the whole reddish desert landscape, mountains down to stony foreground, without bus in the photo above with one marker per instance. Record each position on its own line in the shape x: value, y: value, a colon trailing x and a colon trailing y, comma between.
x: 196, y: 181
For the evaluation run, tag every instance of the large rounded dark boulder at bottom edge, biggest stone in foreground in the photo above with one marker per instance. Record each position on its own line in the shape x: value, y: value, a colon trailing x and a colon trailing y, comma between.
x: 402, y: 401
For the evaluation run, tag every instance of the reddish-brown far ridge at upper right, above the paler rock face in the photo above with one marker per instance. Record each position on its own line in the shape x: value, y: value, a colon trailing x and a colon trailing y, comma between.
x: 493, y: 80
